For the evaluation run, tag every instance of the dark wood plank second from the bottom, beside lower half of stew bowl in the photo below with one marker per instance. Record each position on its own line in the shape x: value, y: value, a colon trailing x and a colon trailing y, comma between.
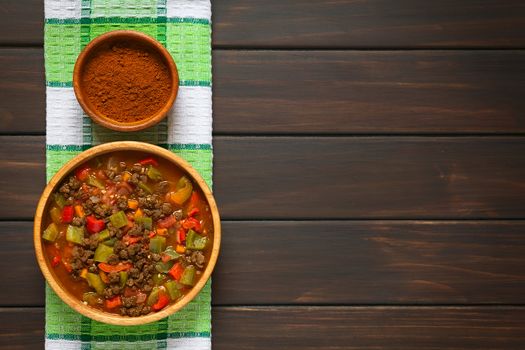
x: 334, y: 262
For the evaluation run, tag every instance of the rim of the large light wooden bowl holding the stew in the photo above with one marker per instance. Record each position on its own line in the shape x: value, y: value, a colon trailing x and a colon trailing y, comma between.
x: 43, y: 205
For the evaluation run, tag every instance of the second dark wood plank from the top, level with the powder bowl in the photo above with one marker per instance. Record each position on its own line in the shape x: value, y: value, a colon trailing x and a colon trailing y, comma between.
x: 334, y: 92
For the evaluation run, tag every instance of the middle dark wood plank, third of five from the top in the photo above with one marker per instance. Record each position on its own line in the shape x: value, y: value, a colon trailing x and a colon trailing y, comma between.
x: 361, y: 177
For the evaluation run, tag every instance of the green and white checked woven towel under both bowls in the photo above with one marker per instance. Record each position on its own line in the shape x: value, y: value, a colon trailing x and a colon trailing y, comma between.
x: 184, y: 28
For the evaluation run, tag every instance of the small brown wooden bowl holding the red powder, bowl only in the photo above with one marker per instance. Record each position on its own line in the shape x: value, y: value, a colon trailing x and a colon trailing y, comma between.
x: 105, y: 42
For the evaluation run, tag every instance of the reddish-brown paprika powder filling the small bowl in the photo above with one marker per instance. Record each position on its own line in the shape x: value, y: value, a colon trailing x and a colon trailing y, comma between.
x: 126, y: 82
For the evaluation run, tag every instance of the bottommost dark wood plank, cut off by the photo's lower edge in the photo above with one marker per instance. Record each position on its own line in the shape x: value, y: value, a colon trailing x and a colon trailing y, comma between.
x: 329, y: 327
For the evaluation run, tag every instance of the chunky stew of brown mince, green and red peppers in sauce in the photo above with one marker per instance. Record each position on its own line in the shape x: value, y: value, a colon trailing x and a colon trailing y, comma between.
x: 128, y: 234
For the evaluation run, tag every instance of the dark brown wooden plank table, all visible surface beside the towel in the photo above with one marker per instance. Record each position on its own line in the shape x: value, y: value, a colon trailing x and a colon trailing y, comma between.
x: 369, y: 164
